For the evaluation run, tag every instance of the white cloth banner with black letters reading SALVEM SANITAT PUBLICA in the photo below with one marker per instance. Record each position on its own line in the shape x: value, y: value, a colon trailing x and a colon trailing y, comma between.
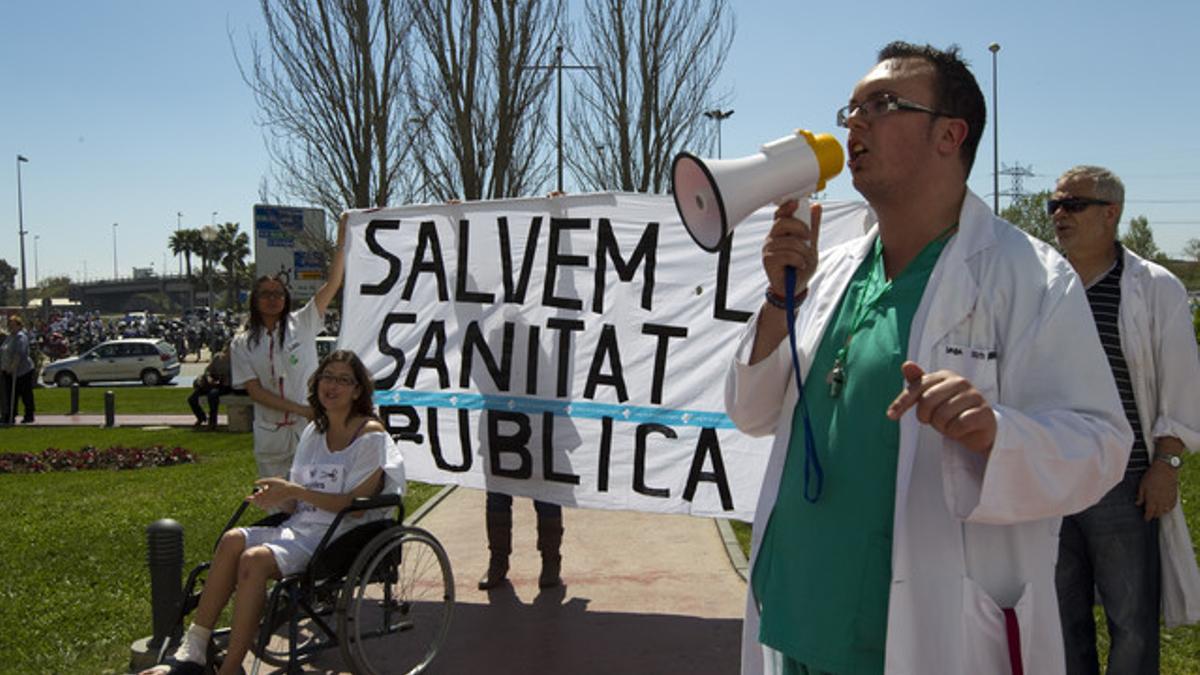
x: 572, y: 350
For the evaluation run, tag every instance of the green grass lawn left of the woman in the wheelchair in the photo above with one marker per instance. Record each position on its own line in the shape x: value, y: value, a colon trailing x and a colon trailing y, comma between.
x: 75, y: 593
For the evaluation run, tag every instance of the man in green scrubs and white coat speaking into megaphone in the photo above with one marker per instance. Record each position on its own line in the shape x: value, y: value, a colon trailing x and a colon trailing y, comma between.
x: 951, y: 410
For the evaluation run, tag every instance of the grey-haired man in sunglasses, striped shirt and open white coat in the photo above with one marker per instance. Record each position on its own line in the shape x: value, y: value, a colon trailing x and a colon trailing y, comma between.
x: 1133, y: 547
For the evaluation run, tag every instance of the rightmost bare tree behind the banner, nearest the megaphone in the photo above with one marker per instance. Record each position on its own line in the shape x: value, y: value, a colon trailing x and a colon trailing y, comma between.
x: 658, y: 68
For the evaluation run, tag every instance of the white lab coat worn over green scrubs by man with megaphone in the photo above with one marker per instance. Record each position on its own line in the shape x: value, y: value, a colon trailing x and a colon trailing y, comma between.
x: 971, y: 535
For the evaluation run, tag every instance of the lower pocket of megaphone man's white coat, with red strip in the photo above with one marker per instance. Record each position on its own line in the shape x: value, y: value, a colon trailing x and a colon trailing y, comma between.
x: 988, y: 637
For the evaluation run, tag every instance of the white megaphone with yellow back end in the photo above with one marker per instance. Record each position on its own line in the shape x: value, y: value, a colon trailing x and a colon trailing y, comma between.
x: 713, y: 196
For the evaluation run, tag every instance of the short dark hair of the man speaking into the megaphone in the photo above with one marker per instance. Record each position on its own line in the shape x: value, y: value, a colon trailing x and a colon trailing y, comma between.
x: 957, y: 91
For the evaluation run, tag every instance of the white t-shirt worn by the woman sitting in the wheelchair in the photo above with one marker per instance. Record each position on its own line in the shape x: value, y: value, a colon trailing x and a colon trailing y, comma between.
x: 319, y: 469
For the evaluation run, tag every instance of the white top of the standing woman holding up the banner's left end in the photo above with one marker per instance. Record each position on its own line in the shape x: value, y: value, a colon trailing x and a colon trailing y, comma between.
x: 284, y: 372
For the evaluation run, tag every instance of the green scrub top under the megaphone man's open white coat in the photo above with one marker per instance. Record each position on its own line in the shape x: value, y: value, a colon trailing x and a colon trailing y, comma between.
x: 824, y: 570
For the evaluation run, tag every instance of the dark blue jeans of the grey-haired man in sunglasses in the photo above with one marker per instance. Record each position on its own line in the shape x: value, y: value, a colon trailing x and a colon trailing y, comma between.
x: 1113, y: 548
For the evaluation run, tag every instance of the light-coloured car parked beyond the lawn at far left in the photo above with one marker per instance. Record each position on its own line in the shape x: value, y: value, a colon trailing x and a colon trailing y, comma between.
x: 152, y: 362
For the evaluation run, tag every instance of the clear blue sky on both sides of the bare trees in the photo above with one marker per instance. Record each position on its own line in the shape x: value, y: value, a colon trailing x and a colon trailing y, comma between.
x: 131, y: 112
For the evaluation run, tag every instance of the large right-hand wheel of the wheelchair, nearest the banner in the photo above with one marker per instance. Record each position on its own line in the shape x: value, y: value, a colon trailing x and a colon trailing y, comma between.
x: 395, y: 608
